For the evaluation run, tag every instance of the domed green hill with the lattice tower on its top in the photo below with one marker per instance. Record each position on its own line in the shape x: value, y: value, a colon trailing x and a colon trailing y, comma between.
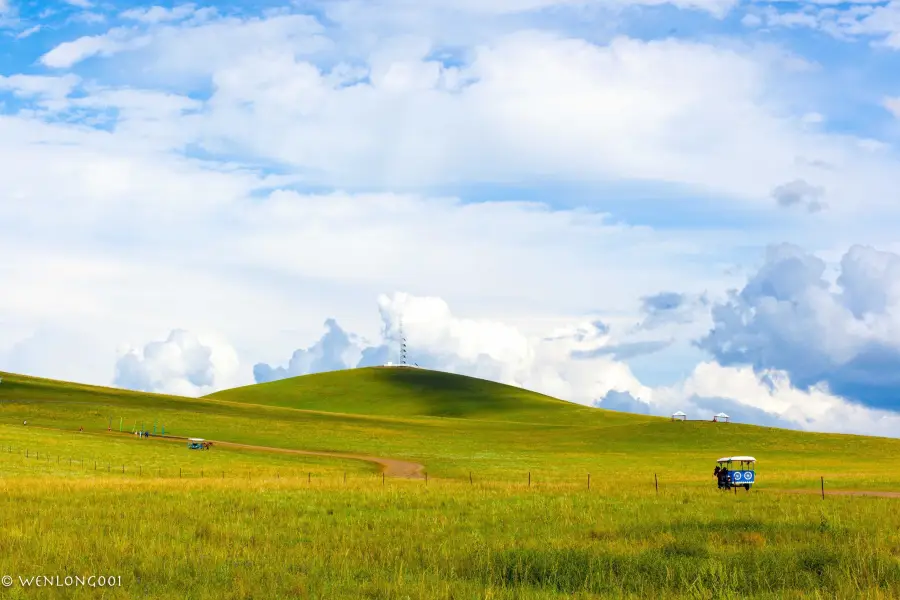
x: 408, y: 392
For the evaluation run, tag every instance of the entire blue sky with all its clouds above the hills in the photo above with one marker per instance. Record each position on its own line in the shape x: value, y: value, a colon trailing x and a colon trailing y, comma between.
x: 642, y: 205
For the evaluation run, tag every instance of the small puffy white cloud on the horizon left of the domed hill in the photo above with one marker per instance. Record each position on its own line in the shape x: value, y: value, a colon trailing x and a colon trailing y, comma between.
x: 183, y: 364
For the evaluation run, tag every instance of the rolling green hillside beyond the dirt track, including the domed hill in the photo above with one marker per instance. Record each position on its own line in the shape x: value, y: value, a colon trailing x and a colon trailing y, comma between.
x: 454, y: 425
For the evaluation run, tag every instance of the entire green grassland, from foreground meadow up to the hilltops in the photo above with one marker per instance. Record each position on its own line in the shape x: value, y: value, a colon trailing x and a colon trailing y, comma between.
x: 233, y: 523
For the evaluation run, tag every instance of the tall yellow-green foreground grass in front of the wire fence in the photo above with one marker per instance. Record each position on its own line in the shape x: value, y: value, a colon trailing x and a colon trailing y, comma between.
x: 286, y: 538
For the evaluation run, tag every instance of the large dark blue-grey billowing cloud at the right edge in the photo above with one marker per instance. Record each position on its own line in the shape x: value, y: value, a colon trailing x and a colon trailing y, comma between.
x: 790, y: 317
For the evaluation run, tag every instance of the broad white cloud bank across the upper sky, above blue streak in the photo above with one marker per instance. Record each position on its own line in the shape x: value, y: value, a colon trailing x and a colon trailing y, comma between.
x: 499, y: 116
